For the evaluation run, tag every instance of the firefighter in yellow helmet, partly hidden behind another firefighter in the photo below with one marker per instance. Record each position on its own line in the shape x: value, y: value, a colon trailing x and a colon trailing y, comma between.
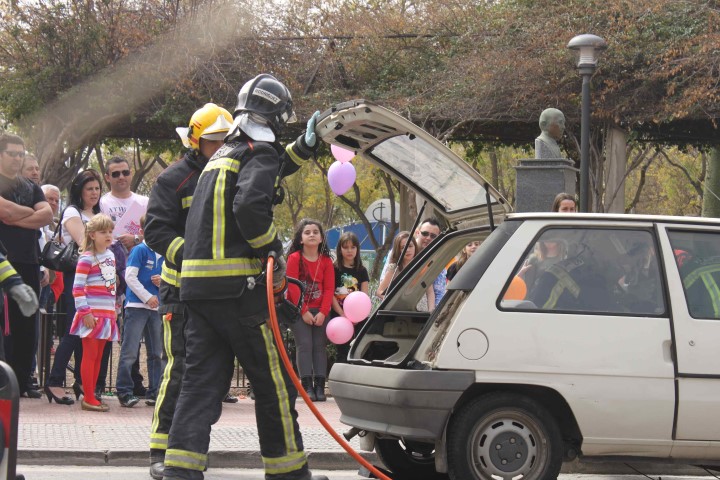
x: 165, y: 233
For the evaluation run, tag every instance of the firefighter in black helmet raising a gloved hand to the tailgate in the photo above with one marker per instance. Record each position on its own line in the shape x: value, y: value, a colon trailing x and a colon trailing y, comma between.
x: 230, y: 232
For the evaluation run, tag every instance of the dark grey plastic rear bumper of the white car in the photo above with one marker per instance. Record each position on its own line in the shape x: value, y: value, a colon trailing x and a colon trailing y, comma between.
x: 411, y: 404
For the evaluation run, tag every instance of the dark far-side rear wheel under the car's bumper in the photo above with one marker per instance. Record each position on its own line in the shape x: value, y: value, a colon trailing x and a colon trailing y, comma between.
x: 407, y: 459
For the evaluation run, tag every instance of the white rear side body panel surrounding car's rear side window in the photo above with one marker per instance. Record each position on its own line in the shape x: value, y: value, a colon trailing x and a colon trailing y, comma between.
x: 584, y: 359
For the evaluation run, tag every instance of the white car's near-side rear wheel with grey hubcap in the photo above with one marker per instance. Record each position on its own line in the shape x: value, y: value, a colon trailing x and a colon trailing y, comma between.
x: 503, y: 436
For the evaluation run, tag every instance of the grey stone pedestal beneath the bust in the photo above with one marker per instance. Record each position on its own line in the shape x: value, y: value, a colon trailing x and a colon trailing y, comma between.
x: 538, y: 181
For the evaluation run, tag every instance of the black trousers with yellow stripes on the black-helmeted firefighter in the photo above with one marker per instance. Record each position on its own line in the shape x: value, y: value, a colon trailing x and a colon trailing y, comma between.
x: 217, y: 333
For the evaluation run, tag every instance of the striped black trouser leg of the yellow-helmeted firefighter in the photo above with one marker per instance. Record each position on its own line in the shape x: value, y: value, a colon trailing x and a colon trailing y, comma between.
x: 174, y: 320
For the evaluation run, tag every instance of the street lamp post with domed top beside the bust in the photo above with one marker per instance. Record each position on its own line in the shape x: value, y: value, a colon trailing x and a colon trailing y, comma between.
x: 589, y: 48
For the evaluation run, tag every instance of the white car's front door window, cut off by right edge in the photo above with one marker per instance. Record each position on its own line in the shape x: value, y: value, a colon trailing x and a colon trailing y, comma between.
x: 697, y: 257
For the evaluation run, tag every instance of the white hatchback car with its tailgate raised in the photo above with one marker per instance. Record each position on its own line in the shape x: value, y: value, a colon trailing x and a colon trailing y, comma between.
x: 564, y: 336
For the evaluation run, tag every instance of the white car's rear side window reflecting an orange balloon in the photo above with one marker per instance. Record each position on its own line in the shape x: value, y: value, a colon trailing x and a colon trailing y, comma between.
x: 612, y: 271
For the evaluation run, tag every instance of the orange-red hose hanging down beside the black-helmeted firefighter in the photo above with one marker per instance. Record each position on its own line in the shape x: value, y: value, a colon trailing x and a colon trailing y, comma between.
x: 296, y: 381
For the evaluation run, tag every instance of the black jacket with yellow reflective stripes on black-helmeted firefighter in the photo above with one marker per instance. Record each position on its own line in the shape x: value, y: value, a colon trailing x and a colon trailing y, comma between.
x: 230, y: 227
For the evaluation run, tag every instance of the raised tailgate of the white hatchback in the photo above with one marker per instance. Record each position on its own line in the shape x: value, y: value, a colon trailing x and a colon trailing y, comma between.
x: 405, y: 151
